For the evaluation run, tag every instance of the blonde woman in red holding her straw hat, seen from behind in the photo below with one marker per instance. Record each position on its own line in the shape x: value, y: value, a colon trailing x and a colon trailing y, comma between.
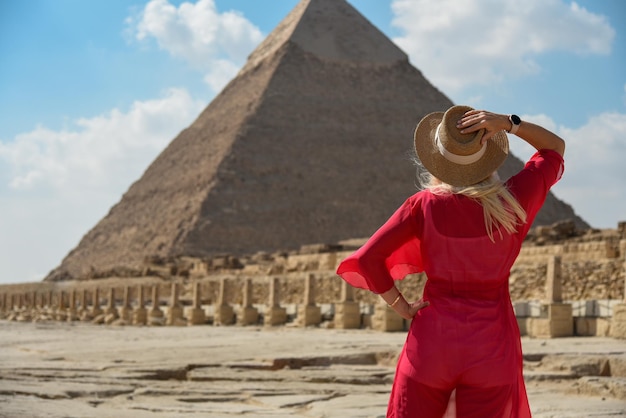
x: 464, y: 230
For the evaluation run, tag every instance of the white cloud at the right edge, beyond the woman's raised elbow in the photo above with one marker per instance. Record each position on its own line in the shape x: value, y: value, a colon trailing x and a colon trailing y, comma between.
x: 594, y: 167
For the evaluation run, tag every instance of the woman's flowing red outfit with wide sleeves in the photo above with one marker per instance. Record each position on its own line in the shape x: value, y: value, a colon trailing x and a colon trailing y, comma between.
x: 467, y: 339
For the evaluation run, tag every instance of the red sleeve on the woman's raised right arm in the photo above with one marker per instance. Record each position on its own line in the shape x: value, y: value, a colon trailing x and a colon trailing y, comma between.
x: 531, y: 185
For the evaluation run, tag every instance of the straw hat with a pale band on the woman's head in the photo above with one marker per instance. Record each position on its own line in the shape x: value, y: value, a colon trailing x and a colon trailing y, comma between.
x: 455, y: 158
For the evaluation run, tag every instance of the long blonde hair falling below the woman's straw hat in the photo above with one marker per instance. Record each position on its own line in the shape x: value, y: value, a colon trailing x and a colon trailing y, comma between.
x: 501, y: 210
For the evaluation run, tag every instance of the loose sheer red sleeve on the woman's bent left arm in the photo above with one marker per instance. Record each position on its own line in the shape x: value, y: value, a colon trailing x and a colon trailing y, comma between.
x: 390, y: 254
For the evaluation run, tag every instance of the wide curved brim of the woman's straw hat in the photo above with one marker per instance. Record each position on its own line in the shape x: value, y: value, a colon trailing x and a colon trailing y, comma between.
x: 452, y: 173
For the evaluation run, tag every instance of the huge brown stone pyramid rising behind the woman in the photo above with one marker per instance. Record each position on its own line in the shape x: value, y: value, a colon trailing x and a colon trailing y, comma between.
x: 311, y: 142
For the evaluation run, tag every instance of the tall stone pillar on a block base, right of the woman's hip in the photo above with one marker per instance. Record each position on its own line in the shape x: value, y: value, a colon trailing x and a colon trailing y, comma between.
x: 556, y: 318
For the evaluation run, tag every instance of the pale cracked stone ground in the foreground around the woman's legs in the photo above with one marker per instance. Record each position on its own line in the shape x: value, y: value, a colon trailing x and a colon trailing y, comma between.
x: 63, y: 370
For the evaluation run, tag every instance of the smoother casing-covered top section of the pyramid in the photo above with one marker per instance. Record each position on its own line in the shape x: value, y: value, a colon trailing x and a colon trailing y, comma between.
x: 331, y: 30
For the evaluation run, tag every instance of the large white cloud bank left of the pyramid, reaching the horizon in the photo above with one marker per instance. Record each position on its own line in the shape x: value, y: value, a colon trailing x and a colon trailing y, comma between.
x: 57, y: 184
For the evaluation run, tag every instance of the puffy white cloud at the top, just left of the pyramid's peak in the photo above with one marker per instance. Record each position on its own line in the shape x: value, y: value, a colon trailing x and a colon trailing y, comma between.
x: 215, y: 43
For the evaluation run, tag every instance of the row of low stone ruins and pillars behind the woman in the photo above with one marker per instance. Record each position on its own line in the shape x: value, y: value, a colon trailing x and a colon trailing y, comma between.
x: 565, y: 282
